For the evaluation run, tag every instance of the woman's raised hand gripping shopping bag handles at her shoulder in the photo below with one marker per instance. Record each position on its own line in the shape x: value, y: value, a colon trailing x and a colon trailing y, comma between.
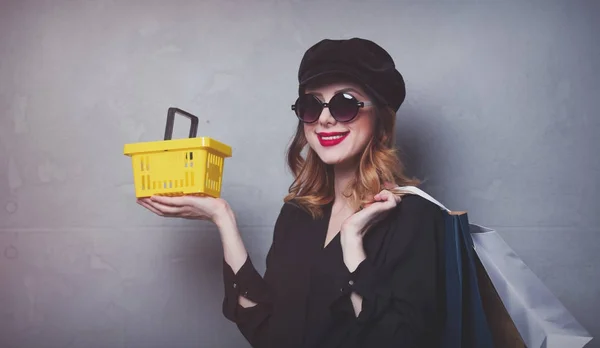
x: 357, y: 224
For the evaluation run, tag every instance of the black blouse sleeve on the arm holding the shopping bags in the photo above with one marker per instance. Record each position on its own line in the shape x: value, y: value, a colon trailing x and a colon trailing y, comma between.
x: 401, y: 290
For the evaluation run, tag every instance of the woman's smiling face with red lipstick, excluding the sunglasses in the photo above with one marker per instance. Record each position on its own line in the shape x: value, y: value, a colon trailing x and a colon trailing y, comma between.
x: 338, y: 142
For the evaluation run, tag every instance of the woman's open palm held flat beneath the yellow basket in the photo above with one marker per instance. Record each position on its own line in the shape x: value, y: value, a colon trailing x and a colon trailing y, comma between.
x: 187, y: 207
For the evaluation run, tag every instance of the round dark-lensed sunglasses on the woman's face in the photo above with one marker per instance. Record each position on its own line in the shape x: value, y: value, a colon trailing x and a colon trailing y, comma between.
x: 342, y: 106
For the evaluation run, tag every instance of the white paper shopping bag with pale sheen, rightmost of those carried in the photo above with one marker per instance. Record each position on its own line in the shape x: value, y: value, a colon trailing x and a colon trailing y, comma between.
x: 538, y: 315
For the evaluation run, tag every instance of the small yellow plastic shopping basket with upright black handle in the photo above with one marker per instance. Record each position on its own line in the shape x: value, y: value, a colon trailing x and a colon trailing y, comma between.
x: 178, y: 167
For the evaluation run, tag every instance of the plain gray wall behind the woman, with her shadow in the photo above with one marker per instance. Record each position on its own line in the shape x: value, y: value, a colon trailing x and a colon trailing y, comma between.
x: 501, y: 120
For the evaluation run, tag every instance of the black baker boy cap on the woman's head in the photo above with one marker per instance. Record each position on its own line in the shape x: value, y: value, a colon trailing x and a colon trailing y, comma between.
x: 360, y: 59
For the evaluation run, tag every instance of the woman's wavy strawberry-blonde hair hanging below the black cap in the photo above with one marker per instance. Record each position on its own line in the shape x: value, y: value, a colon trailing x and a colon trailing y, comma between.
x: 379, y: 168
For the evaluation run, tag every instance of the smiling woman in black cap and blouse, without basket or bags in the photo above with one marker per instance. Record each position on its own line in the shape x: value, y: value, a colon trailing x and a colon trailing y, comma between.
x: 352, y: 264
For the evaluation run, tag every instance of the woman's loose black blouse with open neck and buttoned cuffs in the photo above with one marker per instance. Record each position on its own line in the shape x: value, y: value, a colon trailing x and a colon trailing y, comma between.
x: 304, y: 297
